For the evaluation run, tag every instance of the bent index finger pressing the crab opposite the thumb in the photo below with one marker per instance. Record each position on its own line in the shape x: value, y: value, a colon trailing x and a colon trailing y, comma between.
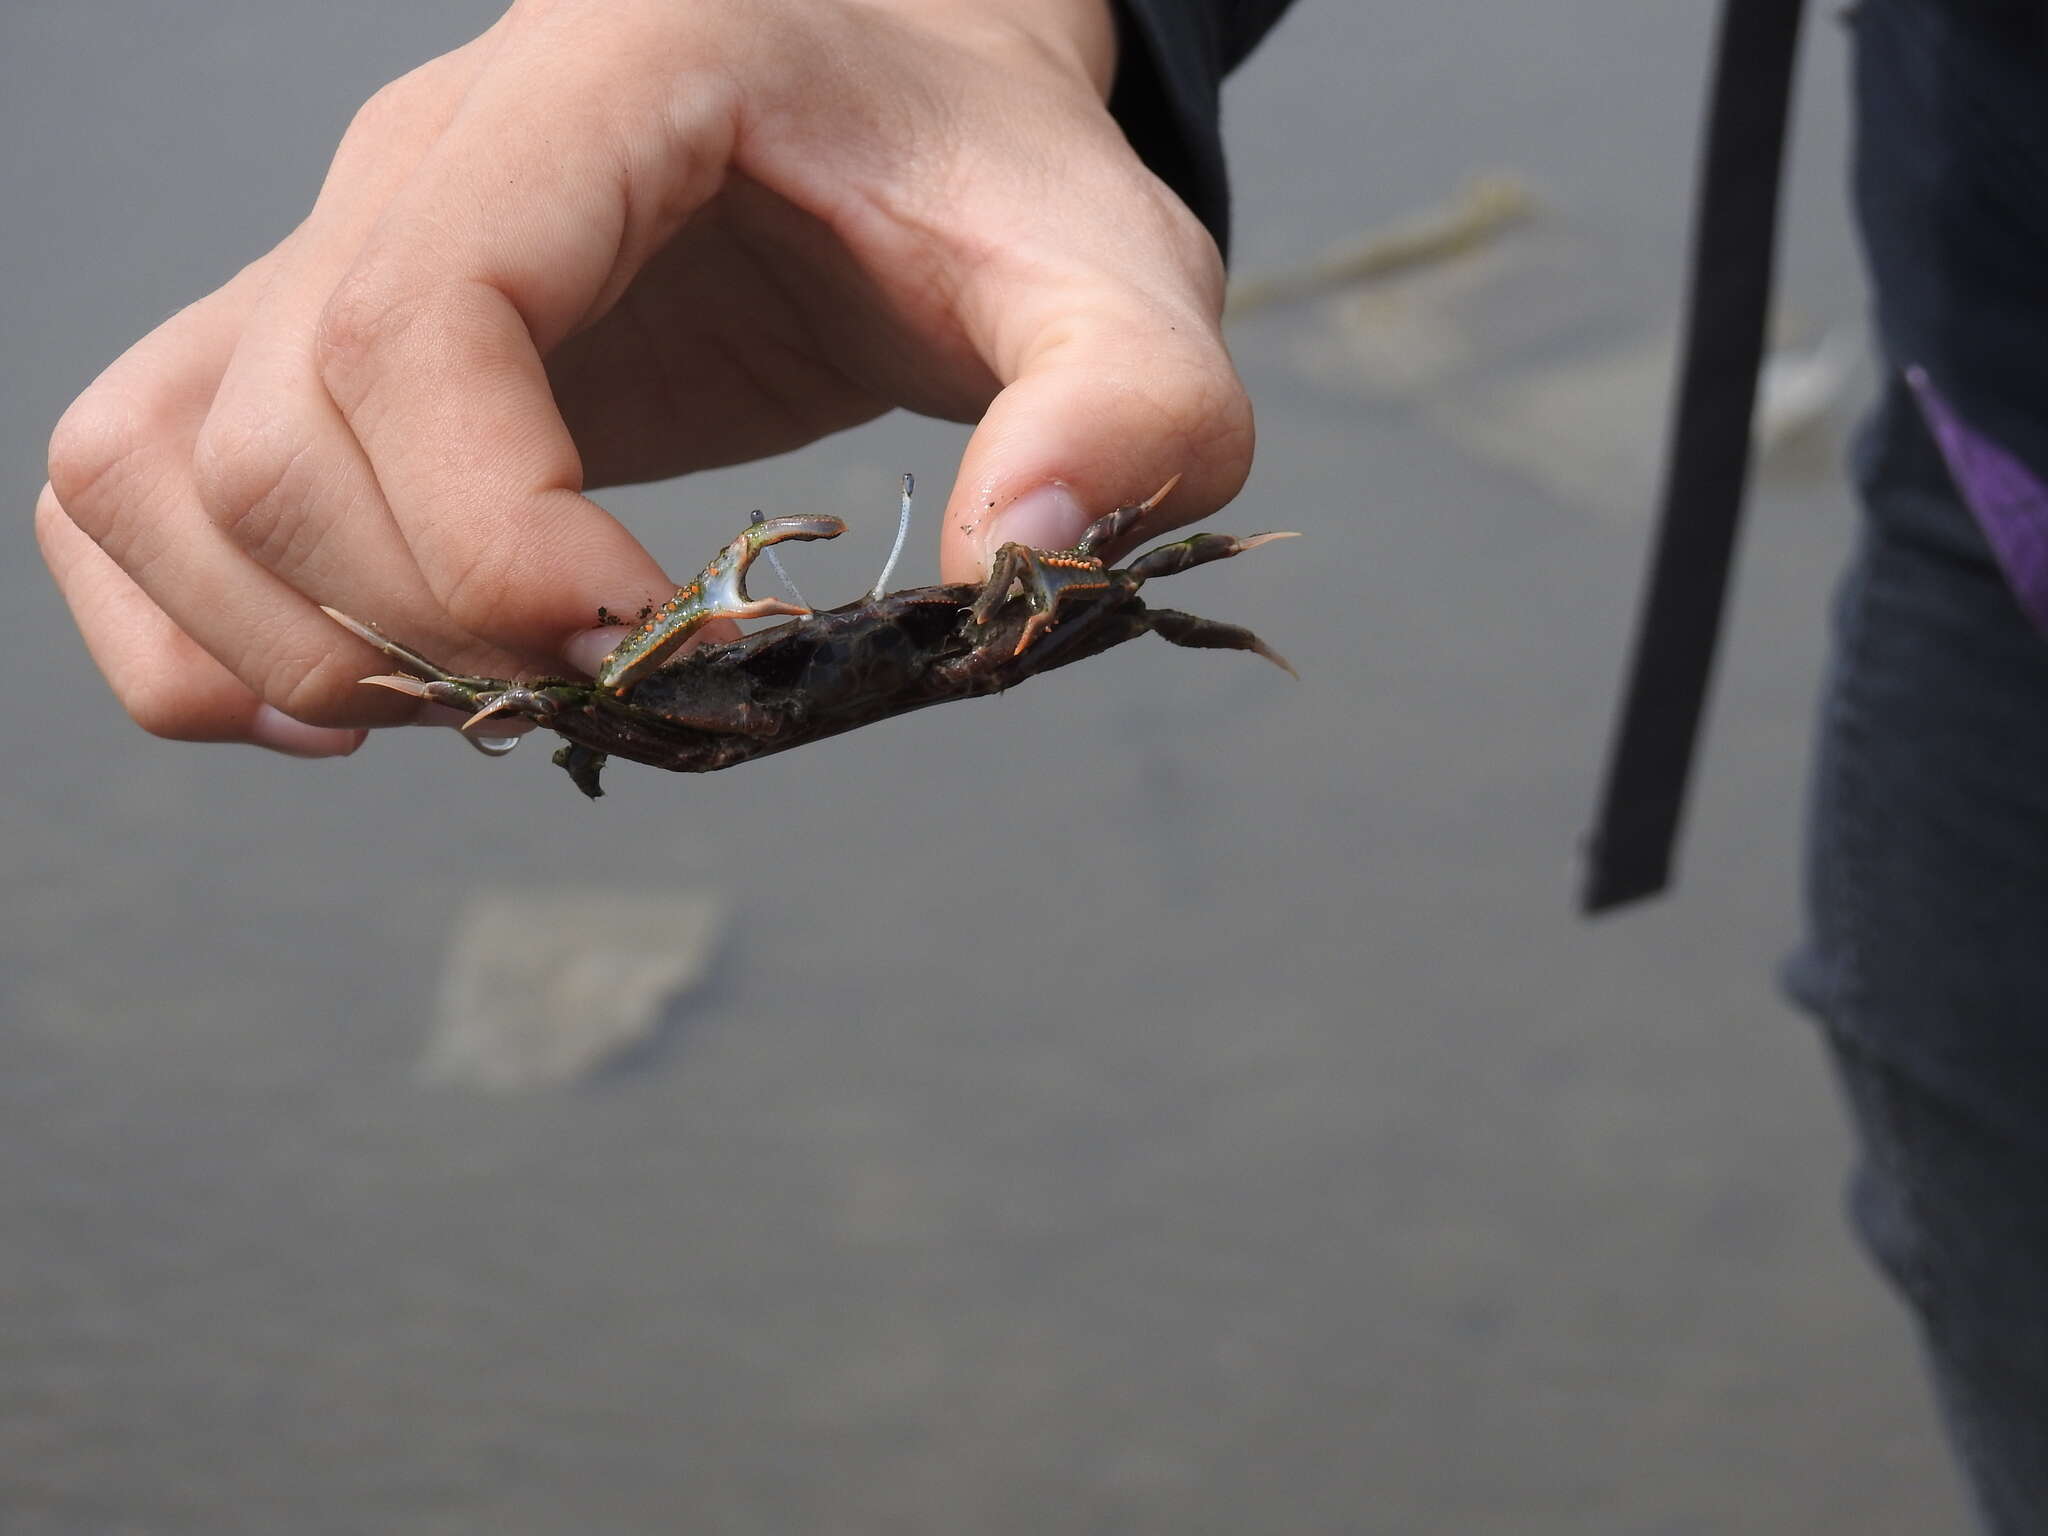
x: 433, y: 341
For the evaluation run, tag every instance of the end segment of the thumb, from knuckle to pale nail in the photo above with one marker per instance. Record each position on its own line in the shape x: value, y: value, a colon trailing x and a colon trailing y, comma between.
x: 1101, y: 417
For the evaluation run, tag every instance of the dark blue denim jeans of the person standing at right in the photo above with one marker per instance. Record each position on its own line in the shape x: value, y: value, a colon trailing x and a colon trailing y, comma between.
x: 1928, y: 865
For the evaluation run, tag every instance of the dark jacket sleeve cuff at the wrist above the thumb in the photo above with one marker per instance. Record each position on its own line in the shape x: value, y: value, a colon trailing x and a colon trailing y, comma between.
x: 1172, y: 58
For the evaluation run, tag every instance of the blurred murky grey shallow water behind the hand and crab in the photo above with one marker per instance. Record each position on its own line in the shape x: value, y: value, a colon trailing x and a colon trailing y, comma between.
x: 1164, y: 1101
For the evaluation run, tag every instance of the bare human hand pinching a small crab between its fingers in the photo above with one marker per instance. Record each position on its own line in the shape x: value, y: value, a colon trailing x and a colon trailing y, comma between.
x: 624, y: 241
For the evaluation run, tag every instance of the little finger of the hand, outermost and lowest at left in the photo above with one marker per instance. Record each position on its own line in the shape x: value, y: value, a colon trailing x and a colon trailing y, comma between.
x: 163, y: 679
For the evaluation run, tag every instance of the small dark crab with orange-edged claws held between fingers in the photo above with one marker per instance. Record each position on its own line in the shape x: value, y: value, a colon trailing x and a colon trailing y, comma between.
x: 830, y: 671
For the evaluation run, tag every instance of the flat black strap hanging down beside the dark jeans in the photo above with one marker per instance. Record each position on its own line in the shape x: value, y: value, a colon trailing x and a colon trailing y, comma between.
x: 1629, y: 851
